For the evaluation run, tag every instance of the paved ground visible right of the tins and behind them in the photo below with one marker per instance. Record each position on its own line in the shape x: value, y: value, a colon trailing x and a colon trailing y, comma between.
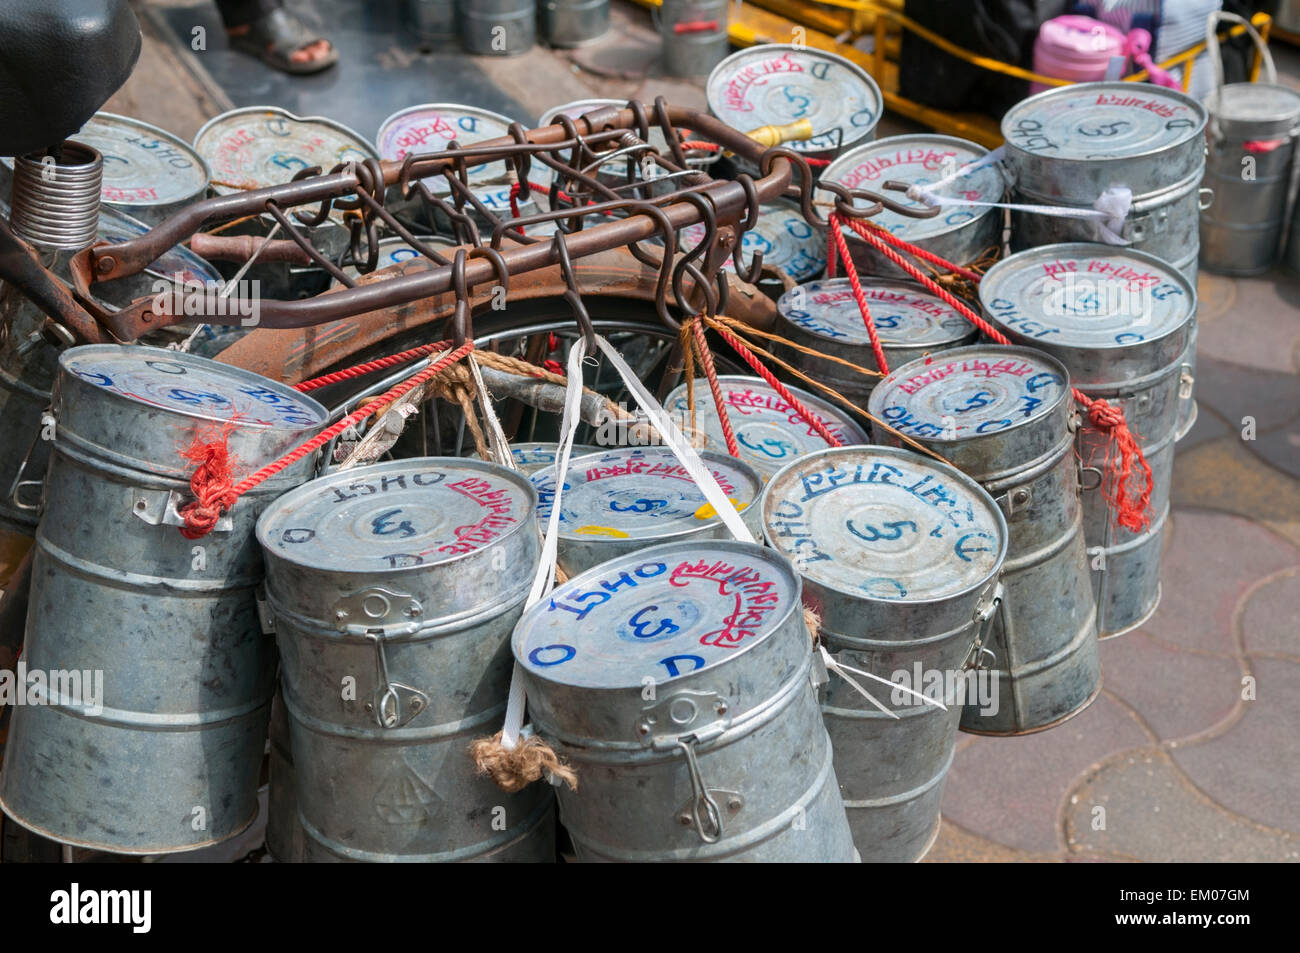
x: 1193, y: 750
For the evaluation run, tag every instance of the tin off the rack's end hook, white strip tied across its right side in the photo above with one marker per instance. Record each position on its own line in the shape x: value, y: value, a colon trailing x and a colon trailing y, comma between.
x: 959, y: 233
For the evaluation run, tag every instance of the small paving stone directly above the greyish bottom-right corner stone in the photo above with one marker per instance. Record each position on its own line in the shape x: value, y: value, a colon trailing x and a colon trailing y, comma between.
x: 1177, y: 694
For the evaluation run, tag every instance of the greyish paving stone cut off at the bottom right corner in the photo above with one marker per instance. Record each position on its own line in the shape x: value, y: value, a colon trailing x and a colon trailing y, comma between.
x: 1152, y: 815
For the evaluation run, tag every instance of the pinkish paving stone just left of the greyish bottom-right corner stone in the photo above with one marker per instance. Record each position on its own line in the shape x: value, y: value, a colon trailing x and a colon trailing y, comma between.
x: 1011, y: 791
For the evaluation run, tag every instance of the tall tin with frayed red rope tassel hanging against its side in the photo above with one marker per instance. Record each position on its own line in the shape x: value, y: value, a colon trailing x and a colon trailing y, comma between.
x: 1121, y: 323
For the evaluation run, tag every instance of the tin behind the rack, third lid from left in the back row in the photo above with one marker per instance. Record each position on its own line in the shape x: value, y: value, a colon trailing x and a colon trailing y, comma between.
x: 431, y: 128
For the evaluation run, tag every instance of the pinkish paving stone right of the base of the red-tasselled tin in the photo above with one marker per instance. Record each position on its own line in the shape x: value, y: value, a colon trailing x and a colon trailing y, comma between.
x: 1208, y: 568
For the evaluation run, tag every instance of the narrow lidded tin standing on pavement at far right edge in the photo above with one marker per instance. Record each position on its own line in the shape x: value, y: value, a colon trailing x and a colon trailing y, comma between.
x: 1251, y: 137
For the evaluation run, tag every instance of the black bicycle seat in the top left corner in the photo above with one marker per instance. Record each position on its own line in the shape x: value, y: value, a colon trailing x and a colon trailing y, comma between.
x: 60, y: 60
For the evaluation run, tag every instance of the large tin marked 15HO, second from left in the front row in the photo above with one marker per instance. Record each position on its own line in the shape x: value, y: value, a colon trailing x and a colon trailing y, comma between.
x: 404, y: 581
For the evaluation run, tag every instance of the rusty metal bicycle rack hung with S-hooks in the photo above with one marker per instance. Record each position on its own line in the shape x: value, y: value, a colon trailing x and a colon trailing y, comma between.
x: 592, y: 216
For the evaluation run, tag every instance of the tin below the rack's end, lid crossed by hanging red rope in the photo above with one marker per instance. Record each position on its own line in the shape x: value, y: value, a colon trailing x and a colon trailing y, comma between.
x: 825, y: 315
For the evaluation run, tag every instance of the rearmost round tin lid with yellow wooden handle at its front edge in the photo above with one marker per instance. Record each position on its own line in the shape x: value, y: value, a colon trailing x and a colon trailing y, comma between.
x: 778, y: 84
